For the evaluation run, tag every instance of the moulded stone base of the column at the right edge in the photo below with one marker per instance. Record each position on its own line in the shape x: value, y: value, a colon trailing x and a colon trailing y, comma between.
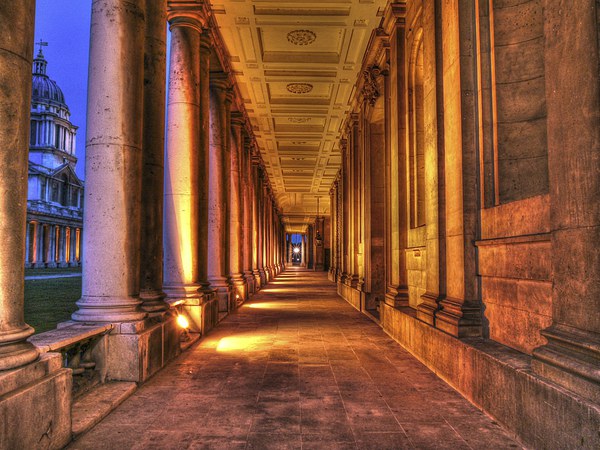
x: 571, y: 358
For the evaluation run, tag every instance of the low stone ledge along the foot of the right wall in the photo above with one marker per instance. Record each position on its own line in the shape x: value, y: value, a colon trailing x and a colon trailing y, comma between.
x: 499, y: 380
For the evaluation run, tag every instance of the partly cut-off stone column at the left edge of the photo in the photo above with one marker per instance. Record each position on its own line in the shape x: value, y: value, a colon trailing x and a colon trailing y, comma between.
x: 16, y: 57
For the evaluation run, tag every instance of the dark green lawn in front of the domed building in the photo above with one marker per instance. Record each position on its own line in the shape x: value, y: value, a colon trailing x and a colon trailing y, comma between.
x: 48, y: 302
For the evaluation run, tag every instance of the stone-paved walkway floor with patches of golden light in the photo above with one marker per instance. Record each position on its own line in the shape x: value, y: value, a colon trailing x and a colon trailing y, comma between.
x: 296, y: 367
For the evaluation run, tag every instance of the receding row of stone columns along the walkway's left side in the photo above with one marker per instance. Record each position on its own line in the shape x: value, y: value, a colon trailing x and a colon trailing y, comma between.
x: 208, y: 194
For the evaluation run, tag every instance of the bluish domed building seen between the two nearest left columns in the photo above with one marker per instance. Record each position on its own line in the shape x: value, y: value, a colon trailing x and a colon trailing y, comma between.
x: 55, y: 193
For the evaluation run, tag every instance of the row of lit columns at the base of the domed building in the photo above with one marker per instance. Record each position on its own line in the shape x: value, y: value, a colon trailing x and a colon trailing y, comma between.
x: 52, y: 245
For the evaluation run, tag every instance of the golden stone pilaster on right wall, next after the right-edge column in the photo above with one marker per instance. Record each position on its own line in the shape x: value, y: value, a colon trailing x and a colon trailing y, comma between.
x: 460, y: 311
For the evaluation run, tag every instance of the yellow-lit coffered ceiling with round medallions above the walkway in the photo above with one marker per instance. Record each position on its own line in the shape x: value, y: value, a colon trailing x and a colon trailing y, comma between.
x: 296, y: 63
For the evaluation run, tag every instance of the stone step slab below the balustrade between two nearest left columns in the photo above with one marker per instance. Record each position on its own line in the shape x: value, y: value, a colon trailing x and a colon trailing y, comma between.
x: 95, y: 405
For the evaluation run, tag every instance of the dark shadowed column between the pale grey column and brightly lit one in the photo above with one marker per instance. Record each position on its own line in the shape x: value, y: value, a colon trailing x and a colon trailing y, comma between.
x: 151, y: 270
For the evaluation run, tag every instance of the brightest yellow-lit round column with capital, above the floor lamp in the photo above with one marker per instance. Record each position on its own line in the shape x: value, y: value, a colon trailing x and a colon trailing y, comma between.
x: 182, y: 177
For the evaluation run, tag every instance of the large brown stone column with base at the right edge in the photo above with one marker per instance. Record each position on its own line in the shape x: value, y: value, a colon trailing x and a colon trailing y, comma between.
x: 572, y: 356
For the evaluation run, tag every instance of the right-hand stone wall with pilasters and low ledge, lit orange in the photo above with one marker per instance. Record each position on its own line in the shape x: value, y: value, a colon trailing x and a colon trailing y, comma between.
x: 466, y: 202
